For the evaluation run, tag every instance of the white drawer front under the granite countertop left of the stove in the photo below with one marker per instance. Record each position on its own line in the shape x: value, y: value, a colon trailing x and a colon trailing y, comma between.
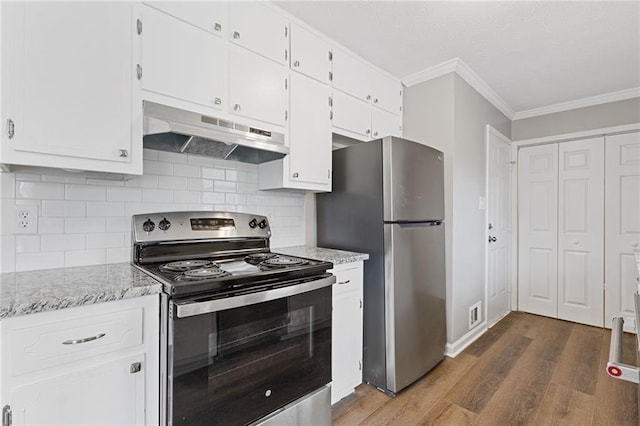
x: 47, y: 344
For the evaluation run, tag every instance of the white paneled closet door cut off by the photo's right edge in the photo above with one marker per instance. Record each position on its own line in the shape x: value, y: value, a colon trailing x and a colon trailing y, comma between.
x: 622, y: 223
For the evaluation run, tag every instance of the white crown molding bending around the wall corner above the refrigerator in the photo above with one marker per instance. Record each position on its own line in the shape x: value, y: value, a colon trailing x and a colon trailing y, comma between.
x: 458, y: 66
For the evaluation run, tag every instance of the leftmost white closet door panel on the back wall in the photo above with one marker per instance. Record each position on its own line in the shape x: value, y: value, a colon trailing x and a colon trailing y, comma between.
x: 538, y: 230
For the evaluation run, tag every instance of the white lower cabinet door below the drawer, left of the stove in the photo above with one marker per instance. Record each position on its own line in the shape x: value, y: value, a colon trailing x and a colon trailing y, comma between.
x: 104, y: 394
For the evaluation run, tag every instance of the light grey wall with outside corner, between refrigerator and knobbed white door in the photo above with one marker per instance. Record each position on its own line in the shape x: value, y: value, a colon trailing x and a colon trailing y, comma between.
x: 450, y: 115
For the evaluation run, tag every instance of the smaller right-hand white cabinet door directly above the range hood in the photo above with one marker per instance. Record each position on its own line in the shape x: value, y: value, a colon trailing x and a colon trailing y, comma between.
x: 257, y: 87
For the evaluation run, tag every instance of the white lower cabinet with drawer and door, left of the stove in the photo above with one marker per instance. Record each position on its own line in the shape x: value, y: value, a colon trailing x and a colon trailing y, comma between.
x: 91, y: 365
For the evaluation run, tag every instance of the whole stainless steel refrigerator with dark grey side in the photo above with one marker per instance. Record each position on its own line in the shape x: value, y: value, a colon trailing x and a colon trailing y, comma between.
x: 388, y: 201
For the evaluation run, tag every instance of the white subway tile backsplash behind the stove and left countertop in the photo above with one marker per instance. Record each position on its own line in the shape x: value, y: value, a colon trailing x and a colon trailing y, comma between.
x: 86, y: 221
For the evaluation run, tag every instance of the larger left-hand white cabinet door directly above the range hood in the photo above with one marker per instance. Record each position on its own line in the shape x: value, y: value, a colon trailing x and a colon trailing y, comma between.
x: 182, y: 61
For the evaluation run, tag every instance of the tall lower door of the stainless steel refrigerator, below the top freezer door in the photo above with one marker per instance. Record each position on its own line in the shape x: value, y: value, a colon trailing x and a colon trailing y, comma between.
x: 415, y: 322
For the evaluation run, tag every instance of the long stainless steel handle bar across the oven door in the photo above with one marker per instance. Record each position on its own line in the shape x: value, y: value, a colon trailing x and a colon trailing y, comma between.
x: 190, y: 308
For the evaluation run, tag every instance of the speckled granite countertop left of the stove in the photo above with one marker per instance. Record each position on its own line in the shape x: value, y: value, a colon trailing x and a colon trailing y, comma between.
x: 23, y: 293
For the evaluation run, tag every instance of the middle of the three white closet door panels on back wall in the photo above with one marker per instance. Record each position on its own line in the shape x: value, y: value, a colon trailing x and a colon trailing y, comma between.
x: 580, y: 231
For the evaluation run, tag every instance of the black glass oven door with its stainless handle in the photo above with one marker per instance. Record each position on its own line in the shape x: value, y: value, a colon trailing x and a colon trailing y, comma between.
x: 233, y: 361
